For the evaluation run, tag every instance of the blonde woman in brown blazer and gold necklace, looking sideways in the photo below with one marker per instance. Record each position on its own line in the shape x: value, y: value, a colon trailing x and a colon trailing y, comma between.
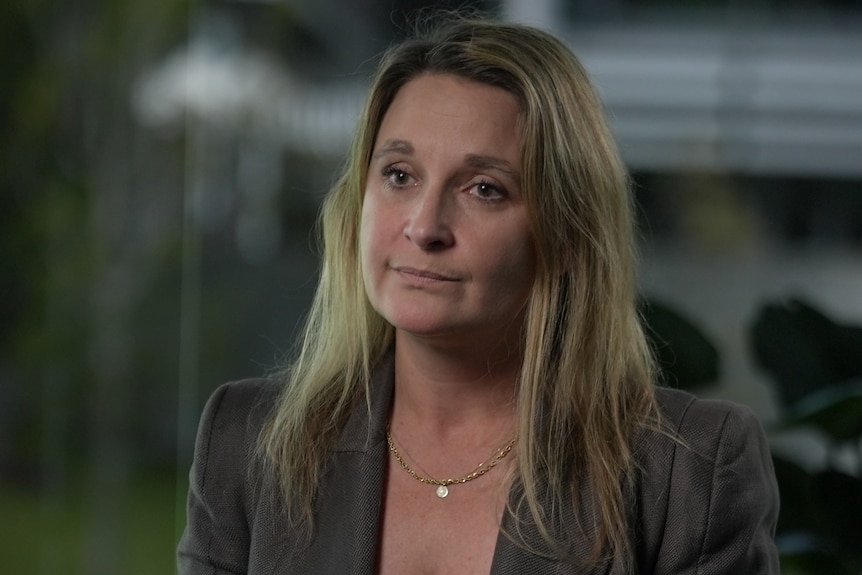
x: 477, y: 304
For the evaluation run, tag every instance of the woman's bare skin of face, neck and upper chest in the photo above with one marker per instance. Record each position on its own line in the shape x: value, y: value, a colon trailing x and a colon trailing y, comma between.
x: 448, y: 260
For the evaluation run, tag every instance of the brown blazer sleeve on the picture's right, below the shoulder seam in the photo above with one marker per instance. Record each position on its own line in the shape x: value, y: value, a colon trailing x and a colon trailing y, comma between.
x: 723, y: 498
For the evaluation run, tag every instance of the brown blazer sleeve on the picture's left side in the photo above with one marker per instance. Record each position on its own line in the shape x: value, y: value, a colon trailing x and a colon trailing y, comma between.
x: 216, y: 538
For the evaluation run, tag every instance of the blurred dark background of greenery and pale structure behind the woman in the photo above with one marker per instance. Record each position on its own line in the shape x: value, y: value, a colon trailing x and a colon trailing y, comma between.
x: 162, y: 162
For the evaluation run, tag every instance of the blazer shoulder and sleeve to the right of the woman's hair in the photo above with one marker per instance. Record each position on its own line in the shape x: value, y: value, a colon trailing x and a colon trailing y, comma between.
x: 706, y: 489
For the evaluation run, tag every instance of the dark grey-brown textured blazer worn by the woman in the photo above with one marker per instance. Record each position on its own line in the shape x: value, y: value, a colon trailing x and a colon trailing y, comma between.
x: 706, y: 508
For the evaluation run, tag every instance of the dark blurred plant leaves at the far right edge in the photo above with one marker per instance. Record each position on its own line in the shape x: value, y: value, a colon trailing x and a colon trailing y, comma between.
x: 816, y: 366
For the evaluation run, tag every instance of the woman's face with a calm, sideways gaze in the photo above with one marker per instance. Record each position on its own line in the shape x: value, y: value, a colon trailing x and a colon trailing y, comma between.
x: 445, y: 238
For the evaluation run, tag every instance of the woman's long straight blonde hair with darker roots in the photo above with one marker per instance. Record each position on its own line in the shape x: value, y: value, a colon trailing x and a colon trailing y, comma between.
x: 586, y: 380
